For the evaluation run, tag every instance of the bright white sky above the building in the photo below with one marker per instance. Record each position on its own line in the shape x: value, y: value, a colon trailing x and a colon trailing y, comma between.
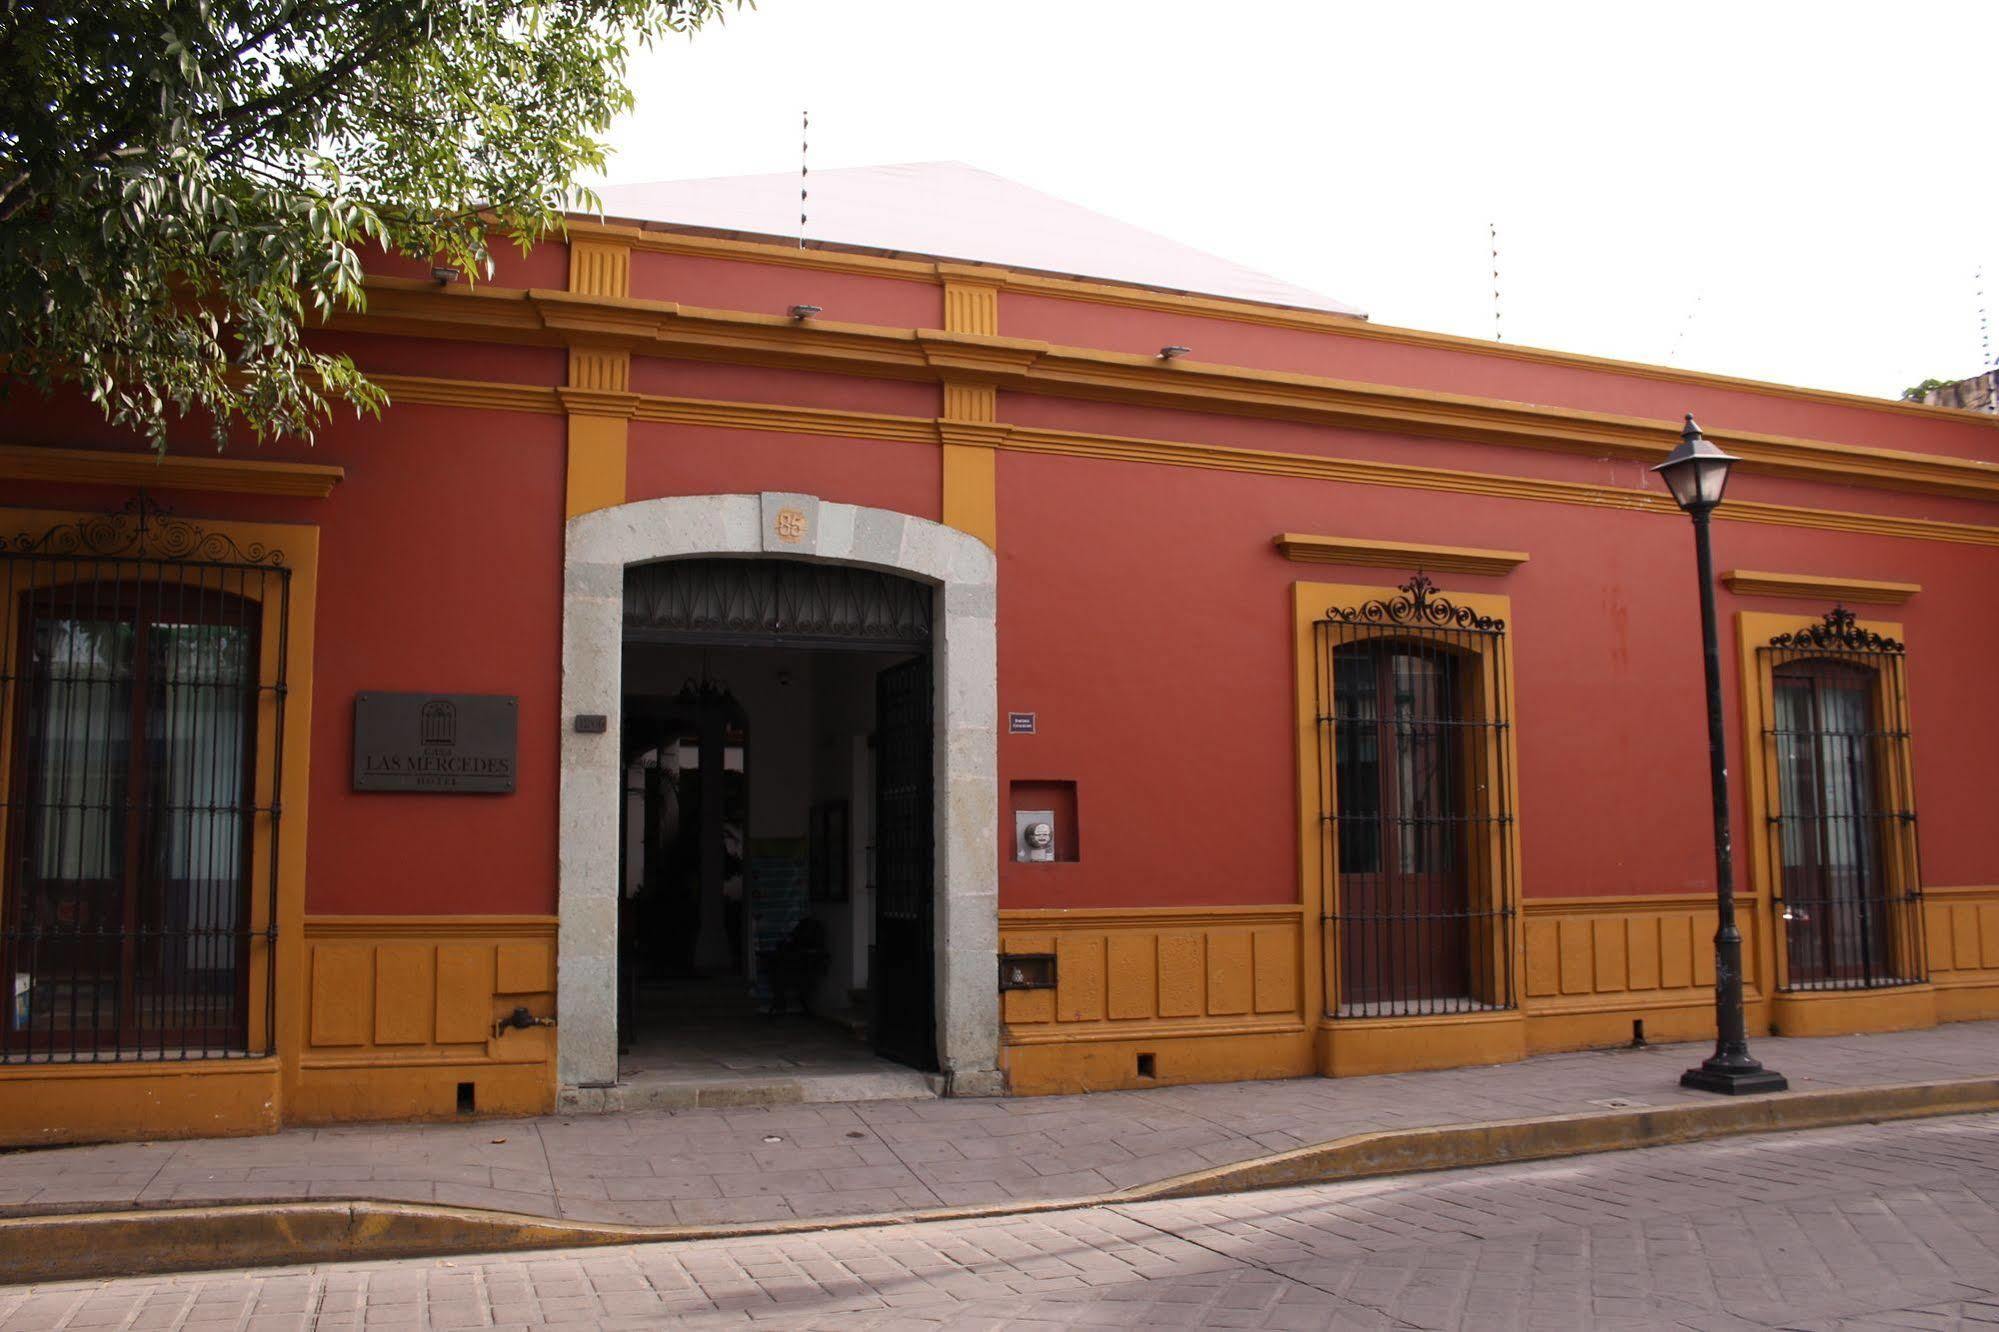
x: 1814, y: 185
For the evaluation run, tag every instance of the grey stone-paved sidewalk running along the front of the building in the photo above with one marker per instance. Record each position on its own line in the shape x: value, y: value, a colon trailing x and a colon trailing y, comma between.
x: 791, y: 1163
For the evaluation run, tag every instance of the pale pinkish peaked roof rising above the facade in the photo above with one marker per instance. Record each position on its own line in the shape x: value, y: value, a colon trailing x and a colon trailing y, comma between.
x: 959, y: 213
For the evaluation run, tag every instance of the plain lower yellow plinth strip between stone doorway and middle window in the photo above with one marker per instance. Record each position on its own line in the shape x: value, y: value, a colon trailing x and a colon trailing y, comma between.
x: 1114, y: 1065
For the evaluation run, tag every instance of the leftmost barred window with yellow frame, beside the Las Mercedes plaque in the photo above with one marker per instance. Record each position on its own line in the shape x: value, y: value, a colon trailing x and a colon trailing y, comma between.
x: 141, y: 665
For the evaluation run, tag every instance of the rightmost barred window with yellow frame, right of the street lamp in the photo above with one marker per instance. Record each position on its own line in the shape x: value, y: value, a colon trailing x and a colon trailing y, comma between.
x: 1842, y: 827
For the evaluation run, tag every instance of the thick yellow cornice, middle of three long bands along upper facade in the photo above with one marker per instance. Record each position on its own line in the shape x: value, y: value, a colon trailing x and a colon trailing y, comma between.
x: 667, y: 329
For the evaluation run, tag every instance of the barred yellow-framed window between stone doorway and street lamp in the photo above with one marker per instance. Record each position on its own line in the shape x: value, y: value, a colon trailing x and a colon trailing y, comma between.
x: 1416, y: 805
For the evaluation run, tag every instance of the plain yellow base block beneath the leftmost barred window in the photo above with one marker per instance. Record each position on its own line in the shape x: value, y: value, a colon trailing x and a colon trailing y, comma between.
x: 43, y: 1105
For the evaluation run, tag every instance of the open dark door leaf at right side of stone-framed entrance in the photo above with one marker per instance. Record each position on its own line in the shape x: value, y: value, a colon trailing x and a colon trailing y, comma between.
x: 905, y: 959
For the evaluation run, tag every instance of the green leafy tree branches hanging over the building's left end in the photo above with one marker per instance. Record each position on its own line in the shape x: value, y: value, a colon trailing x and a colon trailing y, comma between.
x: 187, y: 183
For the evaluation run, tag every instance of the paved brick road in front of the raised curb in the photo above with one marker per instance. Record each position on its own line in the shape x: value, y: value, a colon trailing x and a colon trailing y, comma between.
x: 1840, y: 1229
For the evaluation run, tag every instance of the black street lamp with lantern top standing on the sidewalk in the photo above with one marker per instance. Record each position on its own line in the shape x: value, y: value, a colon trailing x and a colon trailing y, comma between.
x: 1698, y: 473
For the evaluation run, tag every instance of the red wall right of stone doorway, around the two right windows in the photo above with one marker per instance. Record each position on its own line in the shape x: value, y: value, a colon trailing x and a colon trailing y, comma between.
x: 1148, y: 623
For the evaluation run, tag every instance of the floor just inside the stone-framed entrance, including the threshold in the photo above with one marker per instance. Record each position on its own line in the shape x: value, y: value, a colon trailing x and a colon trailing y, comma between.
x: 711, y: 1043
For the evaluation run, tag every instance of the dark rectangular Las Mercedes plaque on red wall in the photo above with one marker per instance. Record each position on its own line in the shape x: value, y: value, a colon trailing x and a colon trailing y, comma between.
x: 435, y: 743
